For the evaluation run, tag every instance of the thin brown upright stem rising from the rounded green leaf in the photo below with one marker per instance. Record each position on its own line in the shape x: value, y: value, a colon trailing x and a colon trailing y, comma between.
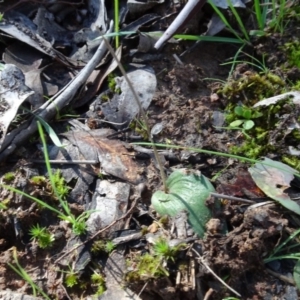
x: 162, y: 173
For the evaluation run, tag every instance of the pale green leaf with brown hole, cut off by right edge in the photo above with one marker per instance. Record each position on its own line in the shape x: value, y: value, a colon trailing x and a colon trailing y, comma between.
x: 273, y: 178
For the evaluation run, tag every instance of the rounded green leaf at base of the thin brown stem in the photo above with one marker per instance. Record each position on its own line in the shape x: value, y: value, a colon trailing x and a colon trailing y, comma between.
x: 188, y: 191
